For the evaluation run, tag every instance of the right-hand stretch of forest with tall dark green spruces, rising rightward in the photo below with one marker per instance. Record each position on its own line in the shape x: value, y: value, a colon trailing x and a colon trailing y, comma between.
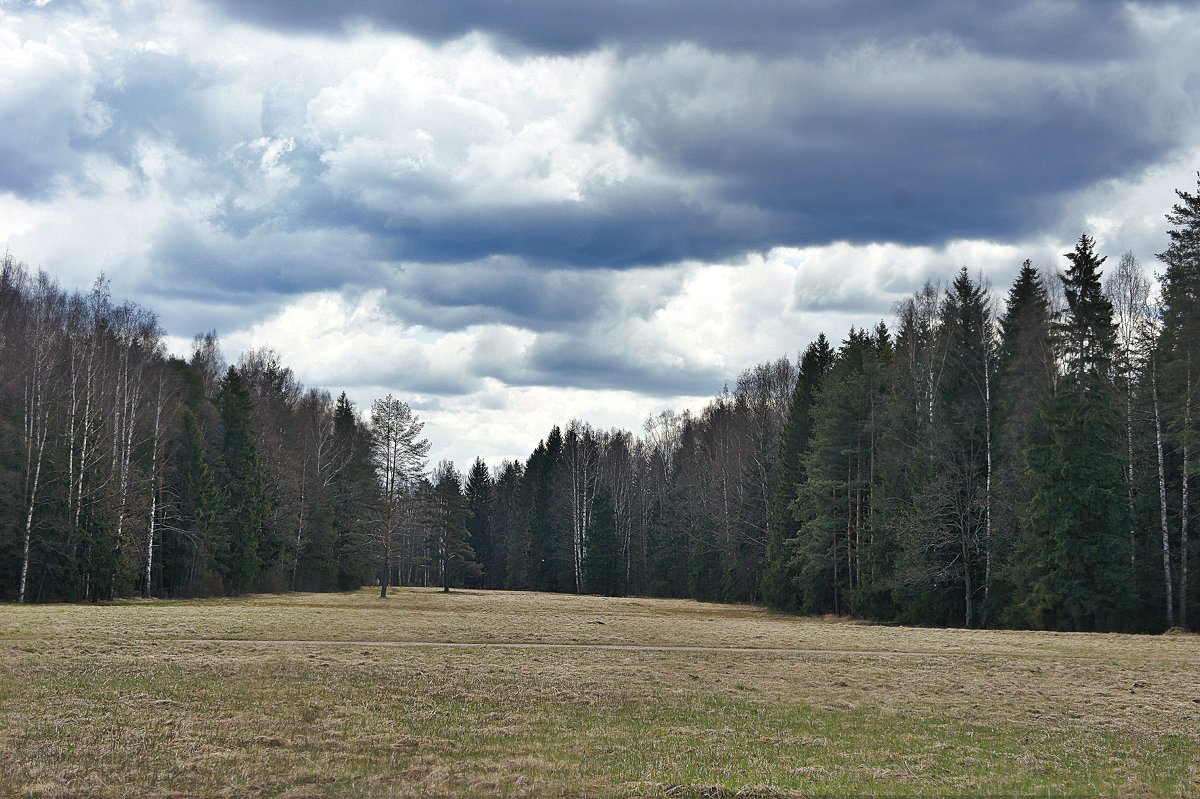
x: 1029, y: 465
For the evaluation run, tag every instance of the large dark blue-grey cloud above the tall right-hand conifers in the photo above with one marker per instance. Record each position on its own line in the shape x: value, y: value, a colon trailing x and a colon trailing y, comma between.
x: 824, y: 161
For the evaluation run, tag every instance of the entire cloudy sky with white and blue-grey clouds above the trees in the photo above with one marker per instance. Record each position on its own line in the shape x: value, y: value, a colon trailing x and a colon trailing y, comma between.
x: 517, y: 214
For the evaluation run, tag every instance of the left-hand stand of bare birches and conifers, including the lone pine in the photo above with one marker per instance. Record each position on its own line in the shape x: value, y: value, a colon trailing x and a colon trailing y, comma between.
x: 127, y: 472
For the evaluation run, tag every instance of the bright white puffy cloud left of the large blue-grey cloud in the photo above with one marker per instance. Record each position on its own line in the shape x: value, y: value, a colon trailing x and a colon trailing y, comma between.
x: 464, y: 119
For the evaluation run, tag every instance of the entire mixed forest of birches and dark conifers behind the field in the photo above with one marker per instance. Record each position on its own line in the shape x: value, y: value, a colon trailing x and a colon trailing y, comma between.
x: 980, y: 461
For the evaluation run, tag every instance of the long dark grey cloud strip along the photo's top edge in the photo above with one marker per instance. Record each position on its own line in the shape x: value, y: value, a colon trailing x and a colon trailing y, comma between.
x: 1060, y: 31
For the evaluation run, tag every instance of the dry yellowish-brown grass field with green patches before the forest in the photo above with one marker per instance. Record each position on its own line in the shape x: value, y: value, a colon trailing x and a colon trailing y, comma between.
x: 531, y: 695
